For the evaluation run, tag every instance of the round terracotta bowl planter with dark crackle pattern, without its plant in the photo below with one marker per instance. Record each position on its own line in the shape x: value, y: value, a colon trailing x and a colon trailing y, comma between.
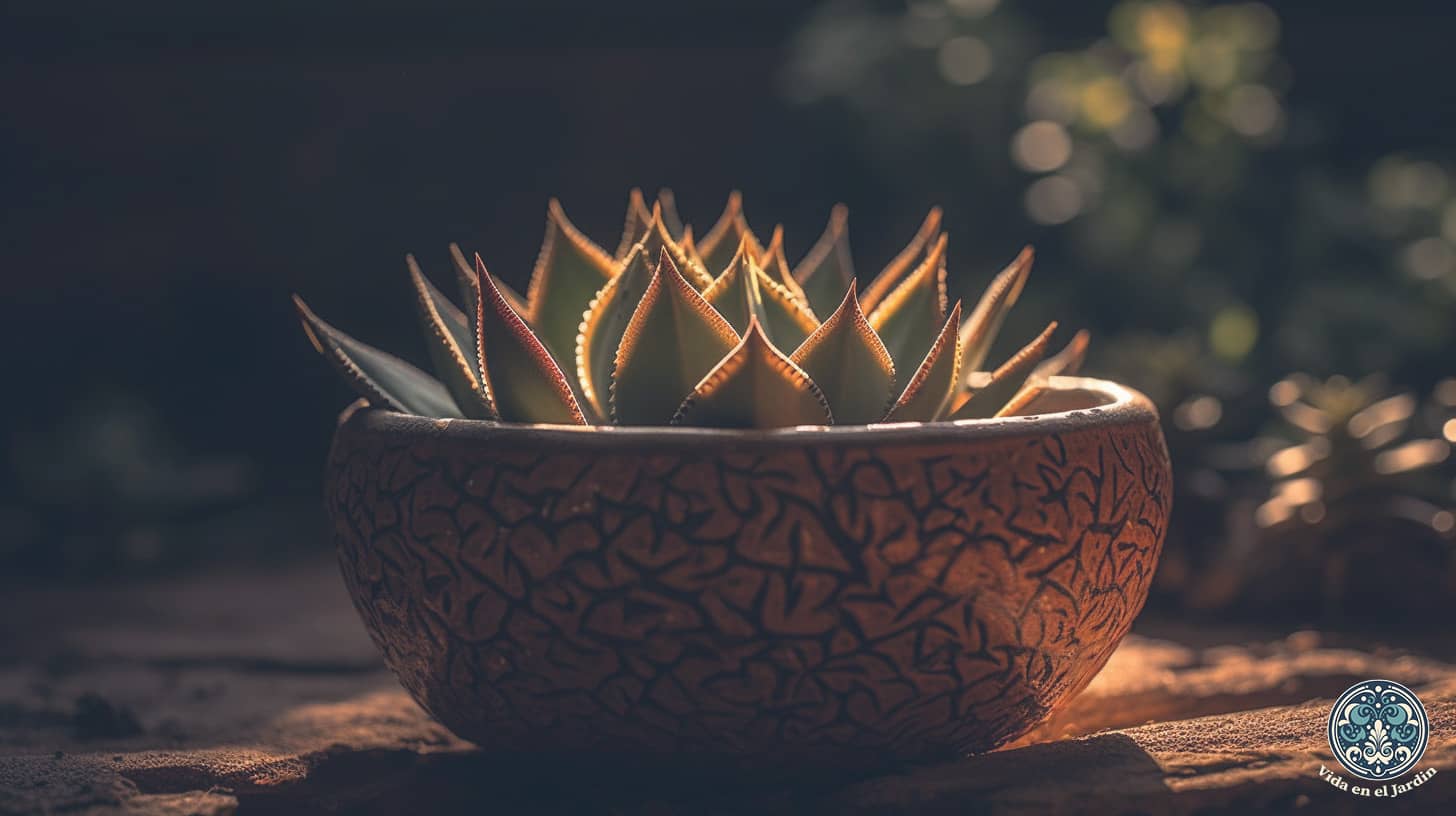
x: 804, y: 597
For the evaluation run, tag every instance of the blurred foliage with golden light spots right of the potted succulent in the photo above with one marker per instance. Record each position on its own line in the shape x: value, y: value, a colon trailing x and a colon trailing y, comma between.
x: 1224, y: 267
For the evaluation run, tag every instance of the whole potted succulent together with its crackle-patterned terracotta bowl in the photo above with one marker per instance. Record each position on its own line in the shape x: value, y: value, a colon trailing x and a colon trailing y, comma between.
x: 685, y: 501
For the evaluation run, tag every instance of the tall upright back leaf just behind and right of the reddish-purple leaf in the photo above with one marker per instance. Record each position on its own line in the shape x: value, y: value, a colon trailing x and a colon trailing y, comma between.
x: 569, y: 272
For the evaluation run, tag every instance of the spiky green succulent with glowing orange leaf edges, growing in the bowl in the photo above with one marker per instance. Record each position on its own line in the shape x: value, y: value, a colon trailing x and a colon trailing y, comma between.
x: 714, y: 331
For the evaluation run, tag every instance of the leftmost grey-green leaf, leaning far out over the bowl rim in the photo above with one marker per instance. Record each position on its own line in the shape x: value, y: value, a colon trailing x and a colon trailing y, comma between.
x: 384, y: 380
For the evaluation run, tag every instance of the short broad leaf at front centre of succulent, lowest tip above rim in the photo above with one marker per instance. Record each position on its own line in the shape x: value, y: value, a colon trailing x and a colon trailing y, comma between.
x: 755, y: 387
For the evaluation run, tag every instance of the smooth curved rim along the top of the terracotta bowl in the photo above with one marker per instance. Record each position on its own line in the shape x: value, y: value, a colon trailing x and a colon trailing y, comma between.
x: 1116, y: 406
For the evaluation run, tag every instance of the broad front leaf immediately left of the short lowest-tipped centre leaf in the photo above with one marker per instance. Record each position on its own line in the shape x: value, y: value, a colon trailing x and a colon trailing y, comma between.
x: 673, y: 340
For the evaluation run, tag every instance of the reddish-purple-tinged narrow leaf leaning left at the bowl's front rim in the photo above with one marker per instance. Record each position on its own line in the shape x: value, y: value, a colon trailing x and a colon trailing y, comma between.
x: 516, y: 368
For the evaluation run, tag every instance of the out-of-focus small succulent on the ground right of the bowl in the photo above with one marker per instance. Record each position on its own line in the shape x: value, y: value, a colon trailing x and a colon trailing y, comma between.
x: 1350, y: 499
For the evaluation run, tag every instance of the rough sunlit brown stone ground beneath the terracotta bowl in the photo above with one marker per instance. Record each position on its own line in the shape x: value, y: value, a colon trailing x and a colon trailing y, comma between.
x: 261, y: 694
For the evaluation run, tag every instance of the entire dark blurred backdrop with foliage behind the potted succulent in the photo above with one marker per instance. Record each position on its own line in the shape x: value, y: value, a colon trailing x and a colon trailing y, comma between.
x: 1251, y: 206
